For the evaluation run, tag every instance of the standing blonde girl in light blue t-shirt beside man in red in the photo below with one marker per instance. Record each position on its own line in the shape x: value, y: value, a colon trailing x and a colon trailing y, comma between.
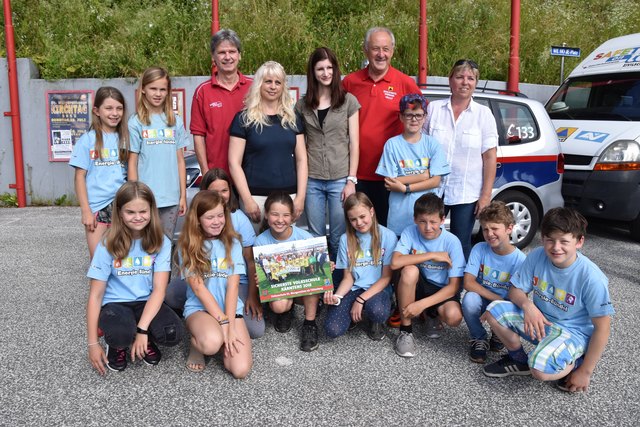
x: 157, y: 140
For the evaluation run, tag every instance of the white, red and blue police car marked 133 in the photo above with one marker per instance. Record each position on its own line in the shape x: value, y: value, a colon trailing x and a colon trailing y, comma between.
x: 529, y: 165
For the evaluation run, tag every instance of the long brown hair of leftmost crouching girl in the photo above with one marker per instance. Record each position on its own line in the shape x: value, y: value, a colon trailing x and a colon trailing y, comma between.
x: 118, y: 238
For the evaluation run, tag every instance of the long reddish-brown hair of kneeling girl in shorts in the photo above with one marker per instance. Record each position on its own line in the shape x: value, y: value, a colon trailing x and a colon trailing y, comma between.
x: 195, y: 259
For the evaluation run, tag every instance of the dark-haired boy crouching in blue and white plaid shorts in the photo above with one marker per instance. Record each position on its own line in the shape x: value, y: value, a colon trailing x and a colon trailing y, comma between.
x: 569, y: 318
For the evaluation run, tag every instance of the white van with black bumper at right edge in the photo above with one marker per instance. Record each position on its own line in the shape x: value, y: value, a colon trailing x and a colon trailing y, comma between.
x: 596, y: 113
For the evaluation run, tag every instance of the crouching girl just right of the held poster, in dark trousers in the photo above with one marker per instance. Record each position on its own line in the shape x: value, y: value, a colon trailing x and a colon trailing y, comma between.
x: 365, y: 252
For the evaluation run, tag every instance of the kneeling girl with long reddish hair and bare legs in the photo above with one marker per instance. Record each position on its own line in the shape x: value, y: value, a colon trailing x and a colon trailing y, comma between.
x: 211, y: 261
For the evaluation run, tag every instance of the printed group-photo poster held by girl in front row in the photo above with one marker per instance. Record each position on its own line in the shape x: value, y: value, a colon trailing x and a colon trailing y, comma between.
x: 293, y: 269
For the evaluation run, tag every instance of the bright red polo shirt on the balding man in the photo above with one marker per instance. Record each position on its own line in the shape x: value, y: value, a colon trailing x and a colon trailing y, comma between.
x: 379, y: 120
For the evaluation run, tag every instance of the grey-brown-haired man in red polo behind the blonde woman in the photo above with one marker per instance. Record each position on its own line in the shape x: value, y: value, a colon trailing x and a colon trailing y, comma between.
x: 216, y: 102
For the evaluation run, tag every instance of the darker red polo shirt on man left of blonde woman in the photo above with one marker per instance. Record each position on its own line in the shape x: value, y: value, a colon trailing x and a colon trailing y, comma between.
x: 212, y: 111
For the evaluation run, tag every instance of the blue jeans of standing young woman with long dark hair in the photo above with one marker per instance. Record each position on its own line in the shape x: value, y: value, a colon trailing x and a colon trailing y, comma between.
x: 320, y: 194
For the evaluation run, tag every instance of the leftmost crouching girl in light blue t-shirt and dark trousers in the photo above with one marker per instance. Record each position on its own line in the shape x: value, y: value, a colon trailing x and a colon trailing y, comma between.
x: 129, y: 275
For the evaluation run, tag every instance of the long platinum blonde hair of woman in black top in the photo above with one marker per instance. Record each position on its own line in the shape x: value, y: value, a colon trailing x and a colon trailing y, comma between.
x: 253, y: 114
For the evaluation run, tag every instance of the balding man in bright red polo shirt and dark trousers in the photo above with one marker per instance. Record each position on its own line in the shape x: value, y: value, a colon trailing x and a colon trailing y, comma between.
x: 378, y: 88
